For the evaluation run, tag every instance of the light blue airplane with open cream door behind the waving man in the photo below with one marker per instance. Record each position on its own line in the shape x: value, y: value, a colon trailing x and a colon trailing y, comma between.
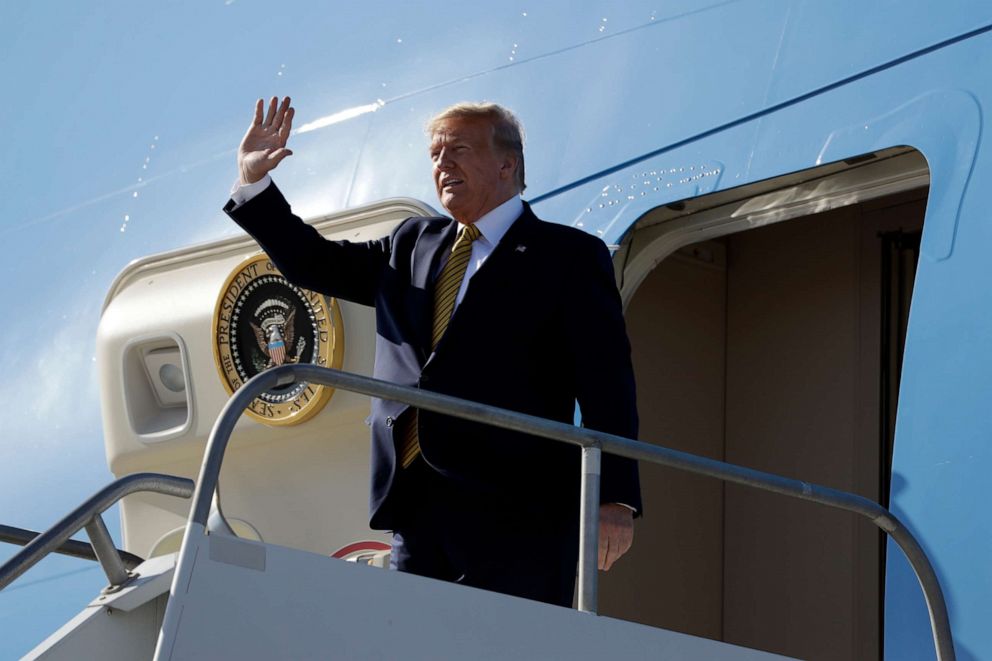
x: 792, y: 192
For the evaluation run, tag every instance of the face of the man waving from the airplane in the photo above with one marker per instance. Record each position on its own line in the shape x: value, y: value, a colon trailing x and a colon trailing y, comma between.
x: 472, y: 177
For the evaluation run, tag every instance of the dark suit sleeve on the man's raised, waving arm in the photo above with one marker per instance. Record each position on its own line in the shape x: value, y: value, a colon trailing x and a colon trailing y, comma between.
x: 351, y: 271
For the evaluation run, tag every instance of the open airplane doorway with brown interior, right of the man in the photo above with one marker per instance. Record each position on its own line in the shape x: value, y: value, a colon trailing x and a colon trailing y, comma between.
x: 767, y: 328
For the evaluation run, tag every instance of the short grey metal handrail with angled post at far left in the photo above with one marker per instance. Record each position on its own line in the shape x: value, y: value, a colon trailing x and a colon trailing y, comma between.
x: 88, y: 515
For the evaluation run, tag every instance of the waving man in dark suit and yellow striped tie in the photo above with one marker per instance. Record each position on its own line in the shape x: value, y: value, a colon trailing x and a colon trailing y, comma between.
x: 491, y: 305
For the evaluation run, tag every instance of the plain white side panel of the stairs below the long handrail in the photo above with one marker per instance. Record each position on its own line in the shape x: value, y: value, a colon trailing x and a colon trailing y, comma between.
x: 234, y: 598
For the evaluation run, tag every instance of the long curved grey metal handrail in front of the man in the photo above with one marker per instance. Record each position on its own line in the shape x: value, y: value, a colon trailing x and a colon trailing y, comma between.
x: 592, y: 443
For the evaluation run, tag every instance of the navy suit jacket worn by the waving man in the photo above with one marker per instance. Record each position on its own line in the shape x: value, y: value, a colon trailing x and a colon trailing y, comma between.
x: 539, y: 328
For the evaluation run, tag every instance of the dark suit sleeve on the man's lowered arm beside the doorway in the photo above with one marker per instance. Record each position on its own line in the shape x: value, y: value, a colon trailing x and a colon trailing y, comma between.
x: 600, y: 352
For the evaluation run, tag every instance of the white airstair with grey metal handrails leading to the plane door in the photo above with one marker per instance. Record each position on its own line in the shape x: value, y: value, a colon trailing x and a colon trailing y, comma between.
x: 224, y: 597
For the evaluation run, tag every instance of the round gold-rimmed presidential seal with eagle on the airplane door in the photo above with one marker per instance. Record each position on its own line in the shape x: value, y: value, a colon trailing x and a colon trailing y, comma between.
x: 262, y: 321
